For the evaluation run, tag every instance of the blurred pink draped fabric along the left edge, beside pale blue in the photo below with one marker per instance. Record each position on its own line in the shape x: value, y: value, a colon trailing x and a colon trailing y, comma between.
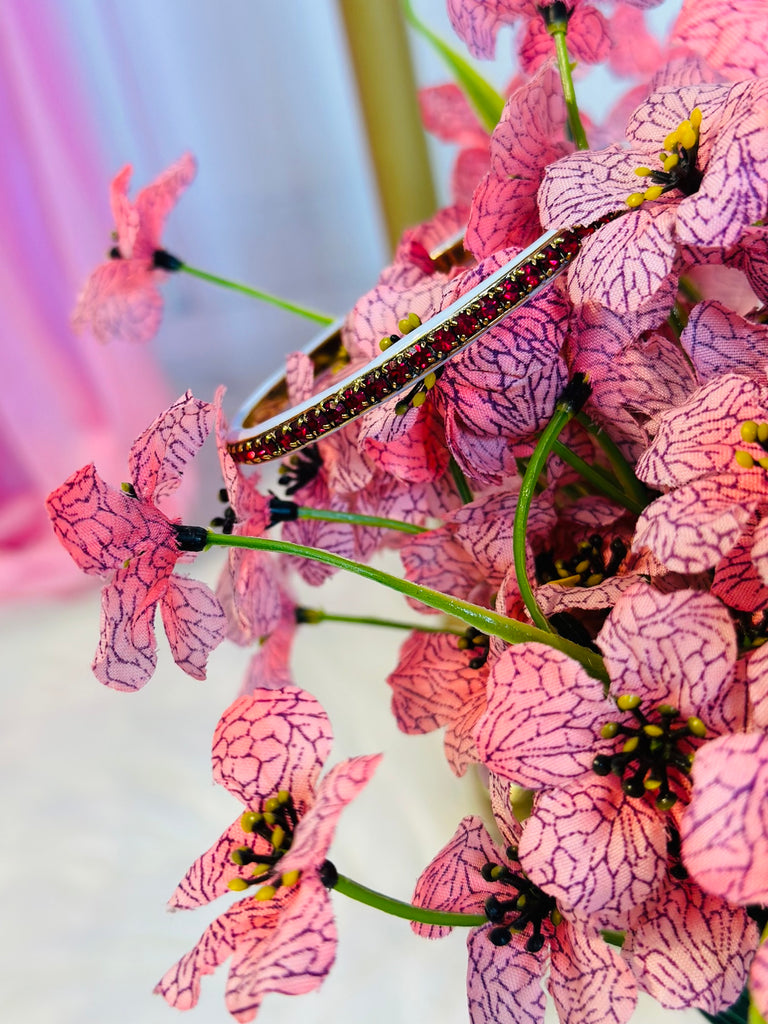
x: 65, y: 401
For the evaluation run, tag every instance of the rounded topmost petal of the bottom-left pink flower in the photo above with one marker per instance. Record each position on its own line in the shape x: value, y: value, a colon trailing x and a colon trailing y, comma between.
x: 271, y: 741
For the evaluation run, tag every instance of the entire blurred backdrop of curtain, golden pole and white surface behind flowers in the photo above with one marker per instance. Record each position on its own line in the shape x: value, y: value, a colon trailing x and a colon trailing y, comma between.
x: 107, y: 798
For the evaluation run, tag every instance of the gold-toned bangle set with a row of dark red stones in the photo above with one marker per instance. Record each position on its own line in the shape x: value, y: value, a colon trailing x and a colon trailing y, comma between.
x: 265, y: 430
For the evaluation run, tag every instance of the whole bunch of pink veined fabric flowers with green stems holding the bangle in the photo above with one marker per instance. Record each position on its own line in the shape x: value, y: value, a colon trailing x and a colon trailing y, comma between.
x: 584, y: 491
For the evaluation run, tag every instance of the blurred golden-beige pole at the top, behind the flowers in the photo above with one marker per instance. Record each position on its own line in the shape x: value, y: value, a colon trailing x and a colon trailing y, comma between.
x: 378, y: 47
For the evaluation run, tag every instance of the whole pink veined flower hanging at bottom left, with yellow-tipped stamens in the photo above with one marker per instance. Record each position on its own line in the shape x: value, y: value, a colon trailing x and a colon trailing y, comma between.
x: 269, y: 750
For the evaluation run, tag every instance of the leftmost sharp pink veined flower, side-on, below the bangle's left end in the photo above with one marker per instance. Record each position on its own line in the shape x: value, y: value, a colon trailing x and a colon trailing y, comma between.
x: 123, y: 537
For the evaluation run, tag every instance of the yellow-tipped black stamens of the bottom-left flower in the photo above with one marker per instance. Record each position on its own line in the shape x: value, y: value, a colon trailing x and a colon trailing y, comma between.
x: 276, y: 825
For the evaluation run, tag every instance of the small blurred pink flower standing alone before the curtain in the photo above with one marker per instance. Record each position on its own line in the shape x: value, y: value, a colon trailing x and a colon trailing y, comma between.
x: 121, y: 300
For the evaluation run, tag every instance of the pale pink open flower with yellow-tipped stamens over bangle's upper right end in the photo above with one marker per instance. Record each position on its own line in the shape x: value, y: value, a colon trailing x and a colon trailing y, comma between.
x: 715, y: 192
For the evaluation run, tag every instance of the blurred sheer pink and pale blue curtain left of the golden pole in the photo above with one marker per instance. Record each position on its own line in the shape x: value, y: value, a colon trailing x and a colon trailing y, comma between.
x: 263, y: 96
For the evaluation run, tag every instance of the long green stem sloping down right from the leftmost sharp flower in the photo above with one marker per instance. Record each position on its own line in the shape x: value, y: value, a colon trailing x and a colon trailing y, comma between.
x: 483, y: 620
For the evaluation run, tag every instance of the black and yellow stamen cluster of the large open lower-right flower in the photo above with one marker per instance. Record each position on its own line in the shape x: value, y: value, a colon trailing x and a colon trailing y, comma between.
x: 651, y: 750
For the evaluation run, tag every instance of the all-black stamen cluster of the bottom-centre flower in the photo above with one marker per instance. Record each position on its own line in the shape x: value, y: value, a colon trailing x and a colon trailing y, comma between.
x: 527, y: 907
